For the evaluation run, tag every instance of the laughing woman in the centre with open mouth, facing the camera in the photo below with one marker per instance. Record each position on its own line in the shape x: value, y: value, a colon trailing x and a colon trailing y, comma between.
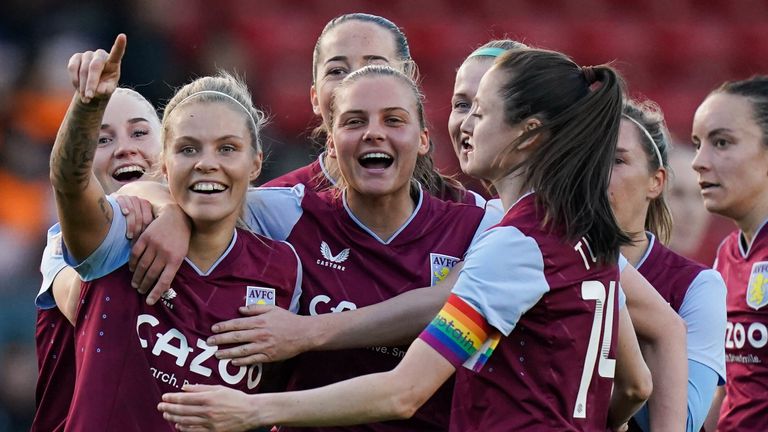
x: 377, y: 235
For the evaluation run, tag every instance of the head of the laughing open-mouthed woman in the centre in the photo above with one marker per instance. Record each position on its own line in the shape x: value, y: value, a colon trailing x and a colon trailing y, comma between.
x: 375, y: 137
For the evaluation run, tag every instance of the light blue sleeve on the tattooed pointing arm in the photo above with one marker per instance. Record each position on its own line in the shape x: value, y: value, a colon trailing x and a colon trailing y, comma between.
x: 113, y: 252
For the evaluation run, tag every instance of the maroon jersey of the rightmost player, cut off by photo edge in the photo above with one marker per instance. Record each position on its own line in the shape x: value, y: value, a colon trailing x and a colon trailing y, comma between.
x: 745, y: 271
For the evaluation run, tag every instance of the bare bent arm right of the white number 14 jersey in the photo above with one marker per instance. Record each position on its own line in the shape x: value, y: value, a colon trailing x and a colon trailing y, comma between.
x: 661, y: 333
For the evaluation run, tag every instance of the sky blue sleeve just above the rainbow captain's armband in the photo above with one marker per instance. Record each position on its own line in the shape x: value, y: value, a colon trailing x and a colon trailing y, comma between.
x: 503, y: 276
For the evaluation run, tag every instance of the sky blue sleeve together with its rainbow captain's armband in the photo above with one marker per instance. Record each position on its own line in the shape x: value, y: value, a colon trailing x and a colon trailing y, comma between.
x: 502, y: 278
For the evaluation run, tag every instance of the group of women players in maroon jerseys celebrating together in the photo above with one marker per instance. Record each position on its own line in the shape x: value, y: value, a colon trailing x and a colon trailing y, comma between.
x: 367, y: 291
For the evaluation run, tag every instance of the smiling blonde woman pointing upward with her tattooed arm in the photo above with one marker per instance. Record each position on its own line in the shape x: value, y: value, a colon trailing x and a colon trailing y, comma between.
x: 211, y: 152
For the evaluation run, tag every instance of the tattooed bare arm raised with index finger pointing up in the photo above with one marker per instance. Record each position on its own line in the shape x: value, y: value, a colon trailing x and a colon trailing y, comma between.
x: 84, y: 213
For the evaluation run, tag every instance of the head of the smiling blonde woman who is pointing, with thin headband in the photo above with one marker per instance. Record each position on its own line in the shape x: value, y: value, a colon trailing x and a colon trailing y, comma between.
x: 205, y: 164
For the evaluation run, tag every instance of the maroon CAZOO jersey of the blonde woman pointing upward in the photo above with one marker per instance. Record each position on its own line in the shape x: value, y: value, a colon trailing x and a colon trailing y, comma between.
x: 129, y: 354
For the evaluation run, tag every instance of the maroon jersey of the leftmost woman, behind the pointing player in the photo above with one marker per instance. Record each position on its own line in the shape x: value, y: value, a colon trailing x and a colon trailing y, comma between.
x: 54, y: 337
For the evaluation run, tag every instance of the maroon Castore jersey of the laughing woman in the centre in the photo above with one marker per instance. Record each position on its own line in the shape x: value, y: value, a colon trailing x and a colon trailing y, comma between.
x: 346, y: 267
